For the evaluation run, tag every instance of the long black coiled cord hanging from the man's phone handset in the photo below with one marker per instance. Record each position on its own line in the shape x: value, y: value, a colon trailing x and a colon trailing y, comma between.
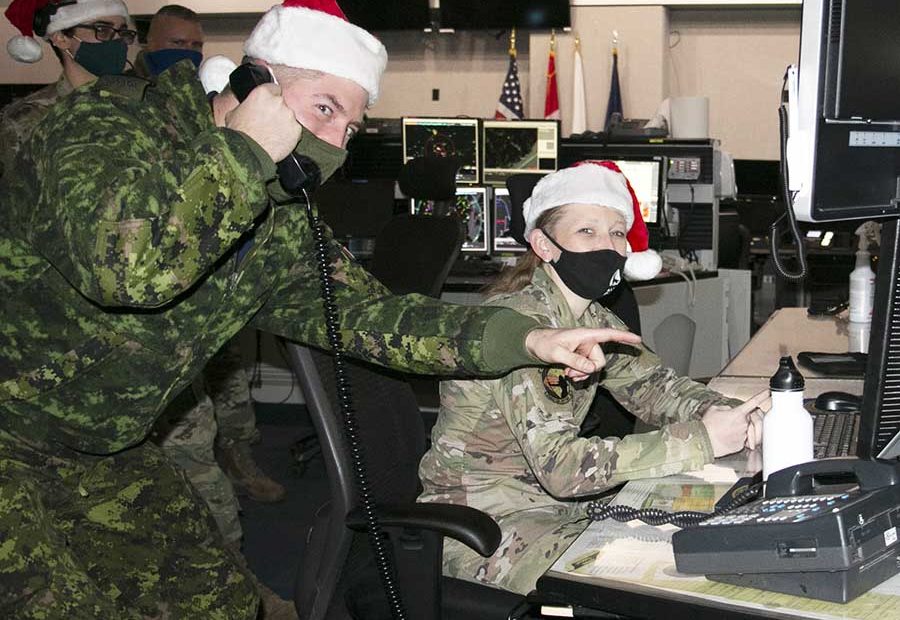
x: 345, y: 401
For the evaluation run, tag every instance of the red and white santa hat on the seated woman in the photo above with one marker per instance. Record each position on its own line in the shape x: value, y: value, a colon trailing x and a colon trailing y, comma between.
x: 598, y: 183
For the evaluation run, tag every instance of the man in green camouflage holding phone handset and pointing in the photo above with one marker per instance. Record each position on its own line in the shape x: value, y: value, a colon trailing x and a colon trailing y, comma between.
x: 141, y: 231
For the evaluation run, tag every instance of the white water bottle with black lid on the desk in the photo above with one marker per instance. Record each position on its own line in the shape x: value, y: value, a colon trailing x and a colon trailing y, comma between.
x: 788, y: 427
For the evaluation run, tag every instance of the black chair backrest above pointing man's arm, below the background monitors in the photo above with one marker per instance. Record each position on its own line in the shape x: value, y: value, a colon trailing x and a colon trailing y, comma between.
x: 414, y: 253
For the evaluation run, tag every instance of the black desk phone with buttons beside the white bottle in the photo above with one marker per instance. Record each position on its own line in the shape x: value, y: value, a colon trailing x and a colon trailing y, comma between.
x: 825, y: 541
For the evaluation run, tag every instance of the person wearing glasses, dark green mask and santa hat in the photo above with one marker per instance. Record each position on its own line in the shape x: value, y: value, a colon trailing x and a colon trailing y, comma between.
x: 89, y: 37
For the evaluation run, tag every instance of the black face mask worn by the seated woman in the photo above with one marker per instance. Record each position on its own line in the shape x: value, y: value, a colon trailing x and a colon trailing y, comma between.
x: 590, y: 275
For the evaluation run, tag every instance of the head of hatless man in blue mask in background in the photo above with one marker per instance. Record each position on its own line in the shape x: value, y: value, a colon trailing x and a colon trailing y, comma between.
x: 175, y: 33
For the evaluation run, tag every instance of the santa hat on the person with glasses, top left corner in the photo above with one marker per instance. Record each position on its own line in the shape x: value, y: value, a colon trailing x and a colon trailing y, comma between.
x: 53, y: 16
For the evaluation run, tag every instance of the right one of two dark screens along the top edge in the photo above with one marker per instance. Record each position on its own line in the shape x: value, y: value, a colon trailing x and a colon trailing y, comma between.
x: 481, y: 14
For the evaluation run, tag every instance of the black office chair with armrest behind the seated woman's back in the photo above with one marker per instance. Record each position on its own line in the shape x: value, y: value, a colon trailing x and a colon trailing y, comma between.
x: 337, y: 579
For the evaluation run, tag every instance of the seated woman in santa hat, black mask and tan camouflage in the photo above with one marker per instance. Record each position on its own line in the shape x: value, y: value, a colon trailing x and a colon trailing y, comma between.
x: 510, y: 446
